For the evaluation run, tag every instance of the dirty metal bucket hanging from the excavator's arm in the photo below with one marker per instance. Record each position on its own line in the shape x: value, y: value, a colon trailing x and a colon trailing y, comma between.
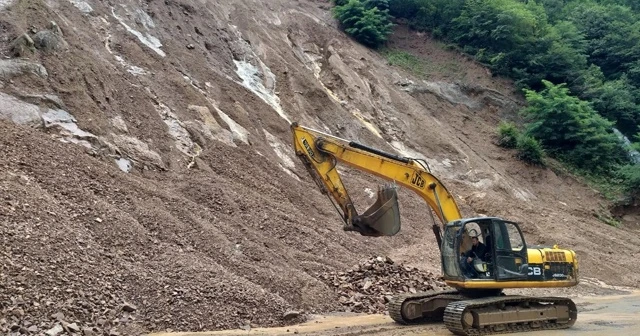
x: 383, y: 217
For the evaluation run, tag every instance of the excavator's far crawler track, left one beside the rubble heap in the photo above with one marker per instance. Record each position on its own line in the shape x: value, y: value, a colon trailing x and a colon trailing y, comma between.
x: 397, y: 305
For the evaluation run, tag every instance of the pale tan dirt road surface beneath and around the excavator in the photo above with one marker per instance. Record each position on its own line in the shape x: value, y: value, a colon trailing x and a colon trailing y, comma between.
x: 603, y: 315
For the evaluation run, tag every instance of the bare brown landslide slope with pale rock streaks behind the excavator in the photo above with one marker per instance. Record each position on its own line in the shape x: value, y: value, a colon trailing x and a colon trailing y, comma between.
x: 147, y: 179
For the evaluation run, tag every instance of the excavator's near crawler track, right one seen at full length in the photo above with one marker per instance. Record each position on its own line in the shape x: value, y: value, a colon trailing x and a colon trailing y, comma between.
x: 509, y: 314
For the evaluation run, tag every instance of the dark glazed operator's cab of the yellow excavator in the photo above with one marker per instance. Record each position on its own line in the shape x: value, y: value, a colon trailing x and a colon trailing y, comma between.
x: 501, y: 255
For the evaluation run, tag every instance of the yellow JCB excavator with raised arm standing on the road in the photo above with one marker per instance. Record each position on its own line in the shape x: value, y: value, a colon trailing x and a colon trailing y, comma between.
x: 479, y: 256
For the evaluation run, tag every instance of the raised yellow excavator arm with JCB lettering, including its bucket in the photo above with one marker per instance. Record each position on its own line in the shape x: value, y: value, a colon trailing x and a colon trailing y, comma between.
x: 321, y: 152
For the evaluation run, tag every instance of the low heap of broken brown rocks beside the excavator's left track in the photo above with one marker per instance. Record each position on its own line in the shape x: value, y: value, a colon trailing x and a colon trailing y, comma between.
x: 367, y: 287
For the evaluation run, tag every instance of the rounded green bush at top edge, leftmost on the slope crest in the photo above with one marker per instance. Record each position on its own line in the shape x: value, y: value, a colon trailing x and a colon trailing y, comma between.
x: 370, y: 27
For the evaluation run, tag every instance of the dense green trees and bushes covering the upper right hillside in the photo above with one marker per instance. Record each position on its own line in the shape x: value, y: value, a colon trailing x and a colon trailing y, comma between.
x: 577, y: 62
